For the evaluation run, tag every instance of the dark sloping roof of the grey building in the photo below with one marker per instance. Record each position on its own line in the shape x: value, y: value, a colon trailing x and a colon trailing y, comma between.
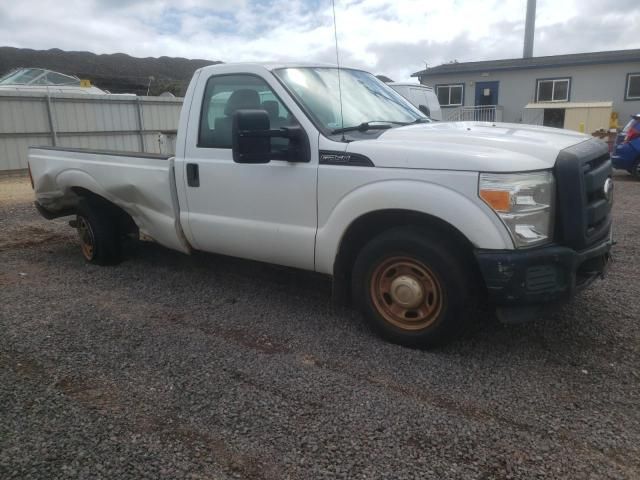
x: 591, y: 58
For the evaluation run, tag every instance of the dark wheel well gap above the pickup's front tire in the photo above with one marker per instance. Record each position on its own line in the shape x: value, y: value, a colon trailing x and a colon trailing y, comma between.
x: 370, y: 225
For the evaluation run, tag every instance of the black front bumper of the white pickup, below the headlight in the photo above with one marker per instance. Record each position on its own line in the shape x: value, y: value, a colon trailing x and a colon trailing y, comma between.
x: 541, y: 275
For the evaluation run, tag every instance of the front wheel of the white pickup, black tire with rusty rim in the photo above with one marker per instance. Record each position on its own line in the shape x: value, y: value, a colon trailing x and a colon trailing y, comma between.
x: 439, y: 285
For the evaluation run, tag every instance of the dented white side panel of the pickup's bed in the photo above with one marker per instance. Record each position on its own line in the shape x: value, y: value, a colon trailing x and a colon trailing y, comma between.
x: 142, y: 184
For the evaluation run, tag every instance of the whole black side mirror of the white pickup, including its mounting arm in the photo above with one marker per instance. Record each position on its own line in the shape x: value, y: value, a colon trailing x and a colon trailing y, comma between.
x: 251, y: 139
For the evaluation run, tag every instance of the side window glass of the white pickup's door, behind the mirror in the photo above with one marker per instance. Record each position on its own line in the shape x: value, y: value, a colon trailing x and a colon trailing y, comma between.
x: 224, y: 95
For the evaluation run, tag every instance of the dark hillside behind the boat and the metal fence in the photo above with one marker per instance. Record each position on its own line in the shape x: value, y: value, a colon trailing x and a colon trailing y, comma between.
x: 118, y: 72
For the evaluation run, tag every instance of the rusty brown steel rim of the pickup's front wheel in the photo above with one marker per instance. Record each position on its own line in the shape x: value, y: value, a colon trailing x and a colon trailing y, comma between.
x: 406, y: 293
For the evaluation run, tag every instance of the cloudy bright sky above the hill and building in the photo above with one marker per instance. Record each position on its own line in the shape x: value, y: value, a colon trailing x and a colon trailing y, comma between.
x: 390, y: 37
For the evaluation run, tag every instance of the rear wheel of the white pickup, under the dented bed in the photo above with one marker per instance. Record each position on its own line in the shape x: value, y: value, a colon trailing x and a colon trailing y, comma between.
x: 98, y: 233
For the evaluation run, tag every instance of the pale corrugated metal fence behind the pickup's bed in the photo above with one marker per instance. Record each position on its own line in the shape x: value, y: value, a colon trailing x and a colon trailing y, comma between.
x: 114, y: 122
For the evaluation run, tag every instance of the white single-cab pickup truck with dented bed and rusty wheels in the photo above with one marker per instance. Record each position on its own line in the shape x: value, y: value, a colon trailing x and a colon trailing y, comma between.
x: 332, y: 171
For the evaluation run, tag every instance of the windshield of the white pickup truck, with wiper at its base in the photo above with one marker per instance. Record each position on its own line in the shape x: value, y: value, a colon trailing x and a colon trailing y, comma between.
x: 364, y: 97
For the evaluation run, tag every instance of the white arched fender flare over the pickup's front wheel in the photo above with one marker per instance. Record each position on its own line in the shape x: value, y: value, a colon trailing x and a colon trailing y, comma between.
x: 476, y: 221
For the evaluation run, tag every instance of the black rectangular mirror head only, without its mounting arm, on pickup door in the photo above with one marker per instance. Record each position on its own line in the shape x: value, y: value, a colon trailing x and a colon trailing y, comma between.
x: 250, y: 141
